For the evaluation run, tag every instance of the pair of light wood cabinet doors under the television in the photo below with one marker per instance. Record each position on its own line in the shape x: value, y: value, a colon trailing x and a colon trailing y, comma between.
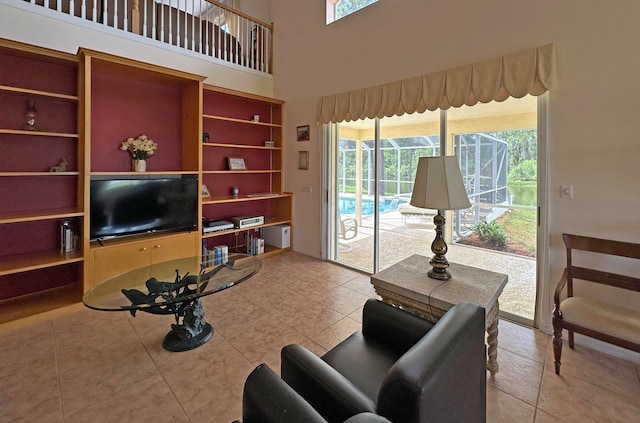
x: 119, y: 257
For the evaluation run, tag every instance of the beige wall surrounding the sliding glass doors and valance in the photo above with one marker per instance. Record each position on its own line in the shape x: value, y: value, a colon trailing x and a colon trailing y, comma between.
x: 594, y: 143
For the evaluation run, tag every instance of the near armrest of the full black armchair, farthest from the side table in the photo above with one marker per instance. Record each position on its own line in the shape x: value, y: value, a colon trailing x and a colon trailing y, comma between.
x: 329, y: 392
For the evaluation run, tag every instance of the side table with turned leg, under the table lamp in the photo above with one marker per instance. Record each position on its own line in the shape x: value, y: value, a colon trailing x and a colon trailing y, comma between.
x: 406, y: 285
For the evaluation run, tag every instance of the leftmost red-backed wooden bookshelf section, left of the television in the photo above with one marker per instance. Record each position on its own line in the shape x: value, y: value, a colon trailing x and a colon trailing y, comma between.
x: 35, y: 276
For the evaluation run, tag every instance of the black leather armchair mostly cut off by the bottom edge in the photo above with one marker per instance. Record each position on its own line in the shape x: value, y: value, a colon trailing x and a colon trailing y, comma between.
x: 268, y: 399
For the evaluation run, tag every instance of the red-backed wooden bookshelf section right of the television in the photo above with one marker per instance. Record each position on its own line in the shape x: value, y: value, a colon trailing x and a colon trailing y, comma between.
x: 242, y: 126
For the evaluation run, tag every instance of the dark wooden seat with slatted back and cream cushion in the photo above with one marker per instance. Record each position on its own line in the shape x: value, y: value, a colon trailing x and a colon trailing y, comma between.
x: 594, y: 318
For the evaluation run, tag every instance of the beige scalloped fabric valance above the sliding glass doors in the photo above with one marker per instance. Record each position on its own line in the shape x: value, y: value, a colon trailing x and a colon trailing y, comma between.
x: 515, y: 75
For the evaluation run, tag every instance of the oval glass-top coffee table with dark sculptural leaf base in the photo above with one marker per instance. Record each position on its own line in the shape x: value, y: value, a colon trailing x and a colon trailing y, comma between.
x: 173, y: 287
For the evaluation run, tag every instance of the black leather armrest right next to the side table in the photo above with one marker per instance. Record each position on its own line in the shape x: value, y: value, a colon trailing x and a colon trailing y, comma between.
x: 392, y: 327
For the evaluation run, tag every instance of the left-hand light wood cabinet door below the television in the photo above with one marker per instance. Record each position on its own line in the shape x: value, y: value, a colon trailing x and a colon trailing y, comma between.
x: 110, y: 261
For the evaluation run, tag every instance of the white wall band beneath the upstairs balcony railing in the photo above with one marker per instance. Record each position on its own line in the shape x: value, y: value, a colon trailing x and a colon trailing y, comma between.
x: 49, y: 29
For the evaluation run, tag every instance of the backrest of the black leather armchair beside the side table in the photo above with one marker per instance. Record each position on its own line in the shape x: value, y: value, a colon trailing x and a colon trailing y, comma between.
x: 443, y: 376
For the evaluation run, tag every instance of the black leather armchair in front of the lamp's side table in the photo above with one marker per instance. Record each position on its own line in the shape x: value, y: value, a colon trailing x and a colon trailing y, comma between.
x: 399, y: 366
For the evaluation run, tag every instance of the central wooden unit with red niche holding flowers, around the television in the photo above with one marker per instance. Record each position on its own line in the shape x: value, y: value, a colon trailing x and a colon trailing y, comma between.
x: 160, y: 103
